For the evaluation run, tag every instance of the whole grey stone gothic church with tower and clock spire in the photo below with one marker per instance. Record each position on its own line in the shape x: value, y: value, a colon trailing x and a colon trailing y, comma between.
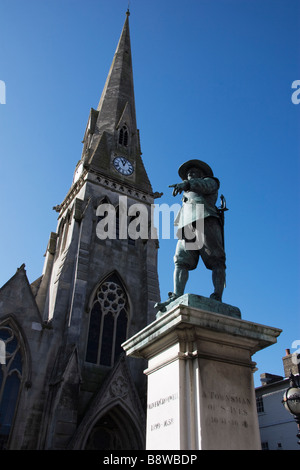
x: 65, y: 382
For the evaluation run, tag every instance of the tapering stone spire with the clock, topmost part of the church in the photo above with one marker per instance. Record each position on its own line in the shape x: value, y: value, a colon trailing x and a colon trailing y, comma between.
x: 112, y: 128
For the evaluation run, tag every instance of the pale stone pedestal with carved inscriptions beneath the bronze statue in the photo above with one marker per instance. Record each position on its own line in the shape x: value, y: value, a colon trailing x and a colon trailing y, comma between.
x: 200, y: 377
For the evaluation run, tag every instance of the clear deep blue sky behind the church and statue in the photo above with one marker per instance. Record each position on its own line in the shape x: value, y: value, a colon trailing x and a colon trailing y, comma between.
x: 212, y: 81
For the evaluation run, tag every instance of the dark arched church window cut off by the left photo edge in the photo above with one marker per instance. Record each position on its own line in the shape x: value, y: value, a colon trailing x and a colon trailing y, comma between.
x: 10, y: 380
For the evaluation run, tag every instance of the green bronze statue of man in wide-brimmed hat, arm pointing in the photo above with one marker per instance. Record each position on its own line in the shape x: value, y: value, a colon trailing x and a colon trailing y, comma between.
x: 200, y: 193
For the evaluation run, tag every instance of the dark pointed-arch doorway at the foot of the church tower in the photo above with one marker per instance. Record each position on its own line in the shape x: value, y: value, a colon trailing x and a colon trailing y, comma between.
x: 114, y: 431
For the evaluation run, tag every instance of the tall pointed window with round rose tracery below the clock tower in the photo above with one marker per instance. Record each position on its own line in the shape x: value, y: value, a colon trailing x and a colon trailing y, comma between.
x: 108, y: 323
